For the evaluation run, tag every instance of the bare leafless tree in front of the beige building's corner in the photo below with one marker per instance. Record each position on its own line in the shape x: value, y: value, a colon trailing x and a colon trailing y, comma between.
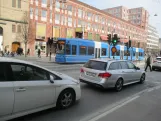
x: 24, y: 33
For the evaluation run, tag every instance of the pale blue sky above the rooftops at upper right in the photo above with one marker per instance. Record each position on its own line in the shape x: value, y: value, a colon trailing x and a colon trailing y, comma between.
x: 153, y: 7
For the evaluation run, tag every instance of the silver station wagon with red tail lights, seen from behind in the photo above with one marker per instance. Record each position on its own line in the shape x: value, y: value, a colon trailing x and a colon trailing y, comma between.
x: 108, y: 73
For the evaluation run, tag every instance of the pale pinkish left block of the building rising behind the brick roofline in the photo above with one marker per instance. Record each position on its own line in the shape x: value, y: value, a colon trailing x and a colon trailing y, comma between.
x: 120, y: 12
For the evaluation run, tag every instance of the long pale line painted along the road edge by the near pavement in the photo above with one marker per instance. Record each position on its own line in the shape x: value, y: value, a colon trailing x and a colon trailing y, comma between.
x: 113, y: 109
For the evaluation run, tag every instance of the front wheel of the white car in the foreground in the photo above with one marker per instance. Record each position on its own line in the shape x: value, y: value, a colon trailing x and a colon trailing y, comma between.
x: 66, y: 99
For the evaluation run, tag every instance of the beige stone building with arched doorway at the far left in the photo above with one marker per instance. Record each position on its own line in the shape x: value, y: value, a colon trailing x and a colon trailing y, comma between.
x: 11, y: 19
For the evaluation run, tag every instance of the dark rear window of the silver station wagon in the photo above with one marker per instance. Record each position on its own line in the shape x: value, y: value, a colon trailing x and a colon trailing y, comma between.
x: 97, y: 65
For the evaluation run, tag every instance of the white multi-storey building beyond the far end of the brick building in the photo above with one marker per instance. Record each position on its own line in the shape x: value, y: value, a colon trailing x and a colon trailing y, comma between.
x: 152, y: 40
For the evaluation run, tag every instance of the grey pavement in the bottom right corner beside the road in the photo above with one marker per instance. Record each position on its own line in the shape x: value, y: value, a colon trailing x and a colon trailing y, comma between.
x: 146, y: 107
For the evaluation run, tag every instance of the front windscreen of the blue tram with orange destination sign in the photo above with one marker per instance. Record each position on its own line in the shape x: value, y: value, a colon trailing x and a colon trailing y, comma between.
x: 60, y: 47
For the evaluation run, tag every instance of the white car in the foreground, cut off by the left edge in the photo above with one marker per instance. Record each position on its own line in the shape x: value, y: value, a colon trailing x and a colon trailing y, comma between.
x: 27, y: 88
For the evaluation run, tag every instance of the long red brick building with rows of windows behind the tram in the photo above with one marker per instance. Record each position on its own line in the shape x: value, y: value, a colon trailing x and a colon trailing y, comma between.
x: 50, y: 18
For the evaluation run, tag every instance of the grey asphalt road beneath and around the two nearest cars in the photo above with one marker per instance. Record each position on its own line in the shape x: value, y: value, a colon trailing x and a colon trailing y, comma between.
x: 93, y: 99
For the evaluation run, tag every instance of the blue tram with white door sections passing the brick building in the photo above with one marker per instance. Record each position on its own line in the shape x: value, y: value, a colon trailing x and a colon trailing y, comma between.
x: 77, y: 50
